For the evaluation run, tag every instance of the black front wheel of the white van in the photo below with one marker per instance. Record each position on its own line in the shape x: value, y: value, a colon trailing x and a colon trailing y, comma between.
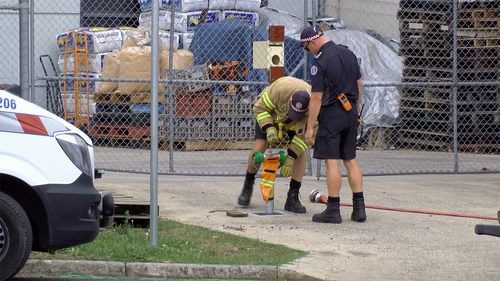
x: 16, y: 238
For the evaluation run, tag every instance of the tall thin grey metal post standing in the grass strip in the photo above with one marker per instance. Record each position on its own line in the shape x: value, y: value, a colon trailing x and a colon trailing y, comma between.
x: 154, y: 124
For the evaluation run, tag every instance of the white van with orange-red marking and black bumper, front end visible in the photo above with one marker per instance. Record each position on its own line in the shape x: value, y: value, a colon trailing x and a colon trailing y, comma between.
x: 47, y: 195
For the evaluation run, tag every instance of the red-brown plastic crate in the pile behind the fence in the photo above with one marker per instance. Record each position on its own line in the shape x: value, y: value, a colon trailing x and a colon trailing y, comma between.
x: 192, y: 104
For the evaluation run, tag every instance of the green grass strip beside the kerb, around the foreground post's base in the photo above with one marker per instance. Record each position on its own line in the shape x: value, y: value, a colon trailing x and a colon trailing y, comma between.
x: 177, y: 243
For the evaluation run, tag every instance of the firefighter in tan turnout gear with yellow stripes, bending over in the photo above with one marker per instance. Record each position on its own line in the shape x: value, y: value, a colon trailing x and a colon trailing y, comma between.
x: 286, y: 102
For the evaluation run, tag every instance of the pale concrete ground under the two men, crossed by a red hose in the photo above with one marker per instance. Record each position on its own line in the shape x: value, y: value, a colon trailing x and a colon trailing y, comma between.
x: 433, y: 239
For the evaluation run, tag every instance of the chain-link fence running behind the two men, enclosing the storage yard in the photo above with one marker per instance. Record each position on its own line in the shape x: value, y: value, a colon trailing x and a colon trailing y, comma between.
x: 430, y: 73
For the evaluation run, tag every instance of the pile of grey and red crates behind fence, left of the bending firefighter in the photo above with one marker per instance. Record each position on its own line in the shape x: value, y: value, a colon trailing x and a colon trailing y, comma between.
x: 209, y: 116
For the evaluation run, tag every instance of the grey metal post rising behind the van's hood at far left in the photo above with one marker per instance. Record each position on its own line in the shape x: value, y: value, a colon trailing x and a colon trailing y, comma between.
x: 24, y: 52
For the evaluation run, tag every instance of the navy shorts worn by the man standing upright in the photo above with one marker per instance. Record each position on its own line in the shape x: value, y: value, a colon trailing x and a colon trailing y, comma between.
x: 337, y: 133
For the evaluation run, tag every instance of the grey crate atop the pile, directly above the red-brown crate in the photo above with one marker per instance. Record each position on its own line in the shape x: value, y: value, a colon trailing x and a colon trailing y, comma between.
x: 198, y: 72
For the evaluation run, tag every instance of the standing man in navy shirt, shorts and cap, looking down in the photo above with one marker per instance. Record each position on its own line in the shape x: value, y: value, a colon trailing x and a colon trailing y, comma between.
x: 335, y: 98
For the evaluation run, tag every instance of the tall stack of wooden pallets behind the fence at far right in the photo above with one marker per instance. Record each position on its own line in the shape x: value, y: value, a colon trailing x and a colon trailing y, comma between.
x: 426, y: 31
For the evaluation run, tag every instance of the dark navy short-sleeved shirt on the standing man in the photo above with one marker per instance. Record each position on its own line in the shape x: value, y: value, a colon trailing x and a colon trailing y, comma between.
x: 335, y: 70
